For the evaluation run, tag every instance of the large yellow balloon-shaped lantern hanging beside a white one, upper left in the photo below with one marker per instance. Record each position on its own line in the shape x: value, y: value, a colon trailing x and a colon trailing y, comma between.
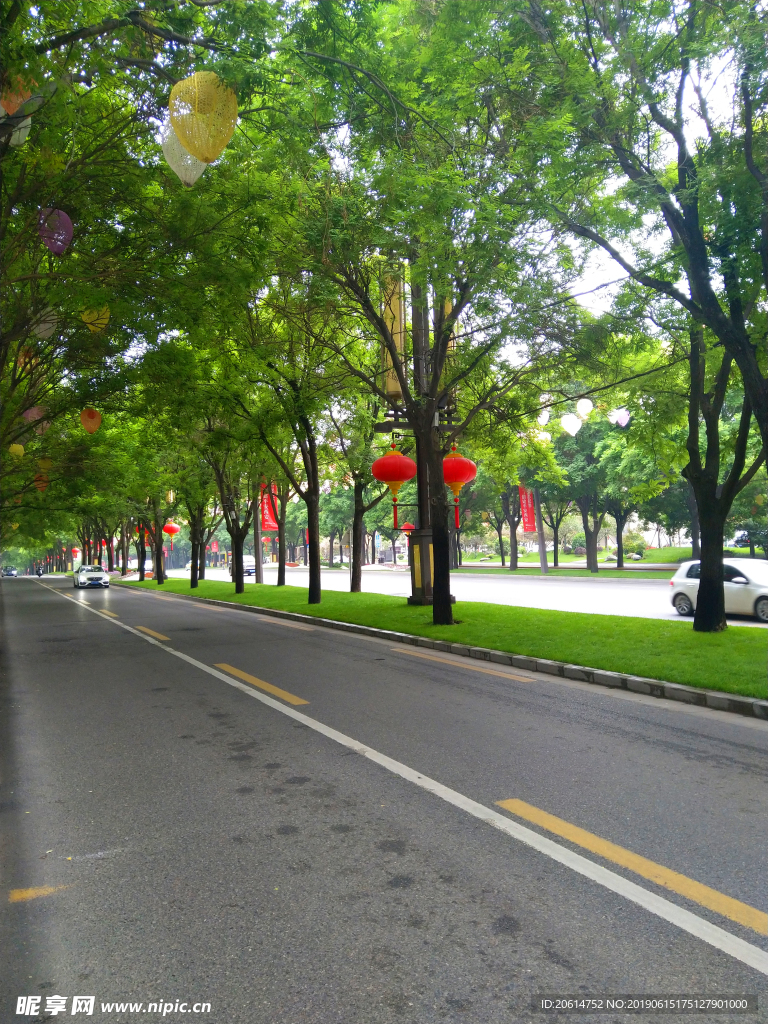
x: 204, y: 113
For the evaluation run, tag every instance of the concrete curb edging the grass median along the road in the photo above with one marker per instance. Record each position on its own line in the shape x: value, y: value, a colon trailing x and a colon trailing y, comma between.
x: 716, y: 700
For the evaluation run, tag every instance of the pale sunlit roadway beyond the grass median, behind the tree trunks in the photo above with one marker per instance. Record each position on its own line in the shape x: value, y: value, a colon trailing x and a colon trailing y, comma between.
x: 603, y: 596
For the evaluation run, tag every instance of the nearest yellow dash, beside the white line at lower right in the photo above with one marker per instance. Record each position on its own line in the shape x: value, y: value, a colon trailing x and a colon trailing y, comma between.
x: 704, y: 895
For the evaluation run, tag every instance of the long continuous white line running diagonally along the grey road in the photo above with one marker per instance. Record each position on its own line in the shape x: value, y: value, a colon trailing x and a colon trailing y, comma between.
x: 712, y: 934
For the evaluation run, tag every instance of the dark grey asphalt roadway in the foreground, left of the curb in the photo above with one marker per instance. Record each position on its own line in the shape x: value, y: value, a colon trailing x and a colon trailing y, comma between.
x: 173, y: 833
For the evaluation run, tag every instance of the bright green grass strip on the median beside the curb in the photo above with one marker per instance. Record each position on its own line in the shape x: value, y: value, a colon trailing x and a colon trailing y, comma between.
x: 734, y: 661
